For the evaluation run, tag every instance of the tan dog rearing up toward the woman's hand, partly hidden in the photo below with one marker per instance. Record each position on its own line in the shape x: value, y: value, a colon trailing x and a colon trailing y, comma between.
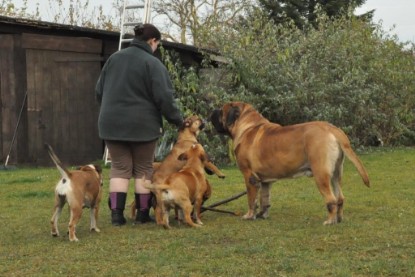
x: 187, y: 137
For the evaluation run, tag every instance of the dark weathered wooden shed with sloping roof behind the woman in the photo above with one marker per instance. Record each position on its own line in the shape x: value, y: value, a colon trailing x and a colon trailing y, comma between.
x: 48, y: 74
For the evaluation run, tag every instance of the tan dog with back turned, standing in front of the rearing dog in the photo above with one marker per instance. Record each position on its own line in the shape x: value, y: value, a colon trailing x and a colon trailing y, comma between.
x: 187, y: 186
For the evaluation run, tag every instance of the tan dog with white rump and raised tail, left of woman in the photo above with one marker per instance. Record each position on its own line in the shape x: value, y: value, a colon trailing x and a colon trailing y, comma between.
x: 80, y: 188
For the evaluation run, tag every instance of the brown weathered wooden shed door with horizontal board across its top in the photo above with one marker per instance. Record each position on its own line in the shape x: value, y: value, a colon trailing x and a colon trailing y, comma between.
x: 62, y: 110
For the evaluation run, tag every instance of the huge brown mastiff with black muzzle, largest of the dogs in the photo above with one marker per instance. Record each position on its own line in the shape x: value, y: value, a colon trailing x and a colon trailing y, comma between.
x: 266, y: 152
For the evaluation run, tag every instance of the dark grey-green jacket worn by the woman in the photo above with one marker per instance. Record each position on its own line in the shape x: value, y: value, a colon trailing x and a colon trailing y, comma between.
x: 135, y: 91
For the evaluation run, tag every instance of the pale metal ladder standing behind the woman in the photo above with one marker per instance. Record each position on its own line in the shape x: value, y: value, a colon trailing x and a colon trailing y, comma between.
x: 132, y: 15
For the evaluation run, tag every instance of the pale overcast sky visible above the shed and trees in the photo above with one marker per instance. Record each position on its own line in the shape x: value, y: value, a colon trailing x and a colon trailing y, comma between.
x: 396, y: 16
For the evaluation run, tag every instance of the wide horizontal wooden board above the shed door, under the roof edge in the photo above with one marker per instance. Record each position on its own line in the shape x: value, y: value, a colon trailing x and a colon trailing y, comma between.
x: 57, y: 43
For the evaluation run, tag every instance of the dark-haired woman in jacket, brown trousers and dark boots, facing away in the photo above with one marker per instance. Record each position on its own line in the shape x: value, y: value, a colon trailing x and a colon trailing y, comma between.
x: 135, y: 91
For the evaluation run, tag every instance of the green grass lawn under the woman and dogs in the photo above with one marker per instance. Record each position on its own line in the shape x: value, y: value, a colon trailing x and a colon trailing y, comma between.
x: 376, y: 238
